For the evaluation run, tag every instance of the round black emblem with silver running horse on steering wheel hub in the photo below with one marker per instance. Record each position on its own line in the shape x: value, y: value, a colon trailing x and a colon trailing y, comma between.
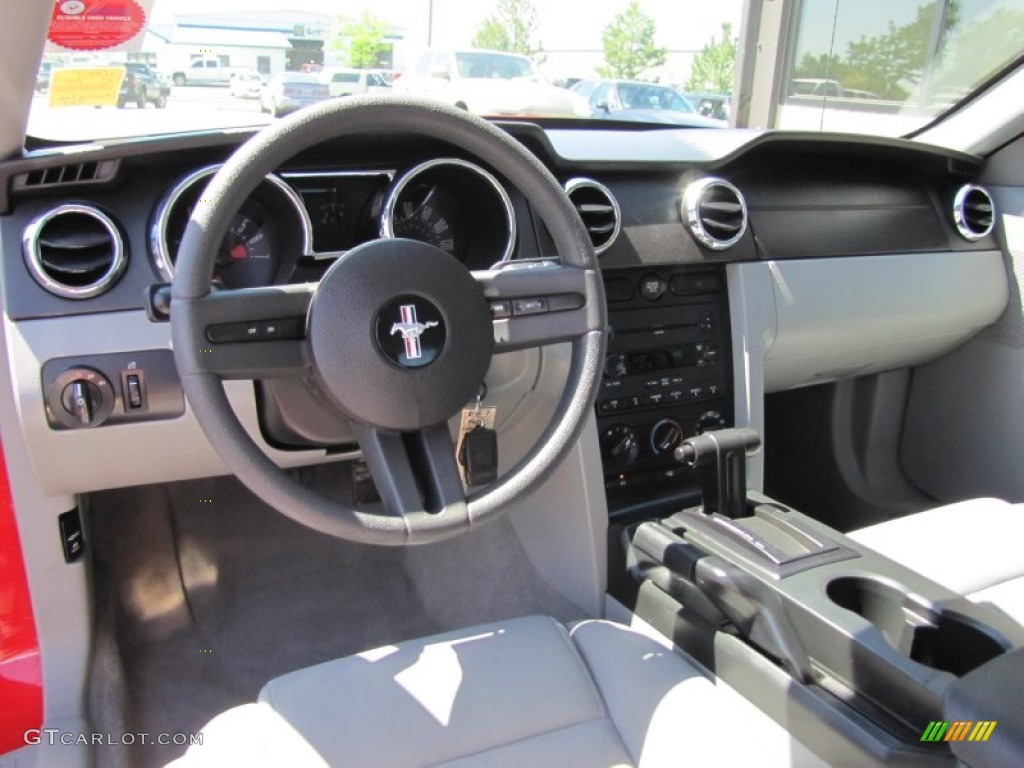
x: 411, y: 332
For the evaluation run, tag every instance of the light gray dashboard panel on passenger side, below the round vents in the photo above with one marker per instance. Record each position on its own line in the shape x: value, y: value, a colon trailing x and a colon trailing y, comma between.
x: 841, y: 318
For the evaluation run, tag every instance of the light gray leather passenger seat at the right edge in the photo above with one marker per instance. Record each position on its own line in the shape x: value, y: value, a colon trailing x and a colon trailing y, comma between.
x: 973, y: 548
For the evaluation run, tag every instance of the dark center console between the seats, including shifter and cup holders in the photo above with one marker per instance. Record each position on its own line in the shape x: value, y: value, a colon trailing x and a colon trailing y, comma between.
x: 857, y: 655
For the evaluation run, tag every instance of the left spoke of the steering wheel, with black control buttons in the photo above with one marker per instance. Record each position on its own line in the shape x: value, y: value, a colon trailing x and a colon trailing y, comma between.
x: 252, y: 333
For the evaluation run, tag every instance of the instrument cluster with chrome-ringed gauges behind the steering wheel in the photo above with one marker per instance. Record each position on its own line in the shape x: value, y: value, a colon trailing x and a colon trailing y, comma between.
x: 297, y: 223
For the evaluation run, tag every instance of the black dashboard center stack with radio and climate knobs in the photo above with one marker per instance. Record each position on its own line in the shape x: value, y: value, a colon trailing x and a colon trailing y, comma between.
x: 668, y: 376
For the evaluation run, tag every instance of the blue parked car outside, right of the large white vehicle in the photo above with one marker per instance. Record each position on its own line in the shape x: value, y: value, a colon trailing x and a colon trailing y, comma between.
x: 638, y: 102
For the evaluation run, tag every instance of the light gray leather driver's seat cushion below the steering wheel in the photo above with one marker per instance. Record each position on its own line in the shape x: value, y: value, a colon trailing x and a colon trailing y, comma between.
x: 521, y: 693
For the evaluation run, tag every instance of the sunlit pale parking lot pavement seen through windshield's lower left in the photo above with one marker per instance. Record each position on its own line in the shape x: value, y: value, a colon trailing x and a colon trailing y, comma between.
x: 189, y: 108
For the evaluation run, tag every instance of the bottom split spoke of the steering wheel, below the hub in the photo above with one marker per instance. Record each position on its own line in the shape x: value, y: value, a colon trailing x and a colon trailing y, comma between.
x: 416, y: 476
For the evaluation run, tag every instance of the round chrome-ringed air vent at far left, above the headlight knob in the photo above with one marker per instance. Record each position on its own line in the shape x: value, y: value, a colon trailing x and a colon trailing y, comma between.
x: 74, y: 251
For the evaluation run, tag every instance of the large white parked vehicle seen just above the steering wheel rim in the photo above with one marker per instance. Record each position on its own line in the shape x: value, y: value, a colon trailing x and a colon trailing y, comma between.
x: 486, y: 83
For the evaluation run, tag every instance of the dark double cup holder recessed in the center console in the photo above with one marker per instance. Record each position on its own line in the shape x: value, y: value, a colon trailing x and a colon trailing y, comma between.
x: 941, y: 639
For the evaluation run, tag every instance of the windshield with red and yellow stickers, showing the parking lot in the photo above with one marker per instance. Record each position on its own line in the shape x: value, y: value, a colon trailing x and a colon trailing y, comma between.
x: 882, y: 67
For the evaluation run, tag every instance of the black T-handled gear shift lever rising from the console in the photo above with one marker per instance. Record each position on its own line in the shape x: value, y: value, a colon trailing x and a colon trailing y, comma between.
x: 720, y: 459
